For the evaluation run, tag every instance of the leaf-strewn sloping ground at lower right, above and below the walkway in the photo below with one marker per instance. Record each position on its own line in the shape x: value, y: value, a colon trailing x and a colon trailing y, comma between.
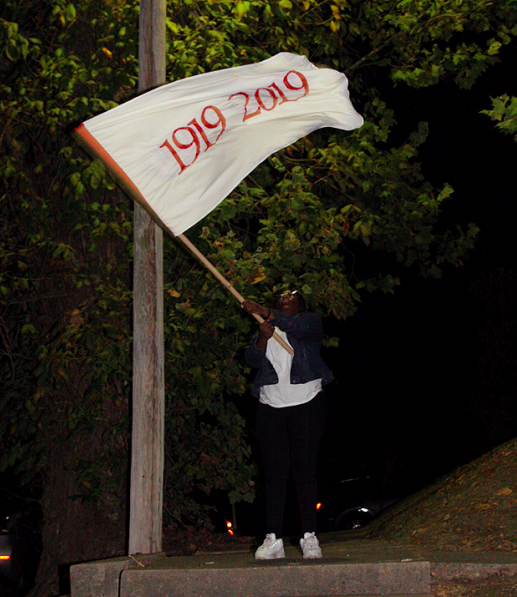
x: 472, y: 509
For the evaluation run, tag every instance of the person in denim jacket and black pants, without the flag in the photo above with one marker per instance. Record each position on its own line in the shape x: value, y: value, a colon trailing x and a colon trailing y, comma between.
x: 290, y: 414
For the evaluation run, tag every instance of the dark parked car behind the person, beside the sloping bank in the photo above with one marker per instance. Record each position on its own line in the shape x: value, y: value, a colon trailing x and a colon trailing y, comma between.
x: 352, y: 503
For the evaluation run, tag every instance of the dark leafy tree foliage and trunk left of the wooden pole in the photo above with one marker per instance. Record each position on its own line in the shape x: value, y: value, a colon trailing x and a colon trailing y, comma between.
x: 65, y: 297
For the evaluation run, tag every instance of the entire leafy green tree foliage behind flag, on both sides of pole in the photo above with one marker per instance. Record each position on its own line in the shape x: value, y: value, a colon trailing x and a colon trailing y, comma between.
x: 311, y: 215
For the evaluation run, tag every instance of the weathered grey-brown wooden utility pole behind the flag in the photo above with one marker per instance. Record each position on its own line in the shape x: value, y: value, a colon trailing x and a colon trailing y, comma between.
x: 148, y: 410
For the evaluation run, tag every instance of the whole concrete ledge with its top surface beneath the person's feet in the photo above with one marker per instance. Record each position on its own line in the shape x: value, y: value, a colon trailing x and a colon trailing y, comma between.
x: 349, y: 568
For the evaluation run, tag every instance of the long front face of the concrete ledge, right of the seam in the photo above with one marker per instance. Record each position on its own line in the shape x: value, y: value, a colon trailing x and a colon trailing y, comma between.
x: 393, y: 578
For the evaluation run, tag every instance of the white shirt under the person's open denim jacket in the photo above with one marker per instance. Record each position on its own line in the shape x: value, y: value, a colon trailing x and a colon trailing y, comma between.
x: 284, y: 393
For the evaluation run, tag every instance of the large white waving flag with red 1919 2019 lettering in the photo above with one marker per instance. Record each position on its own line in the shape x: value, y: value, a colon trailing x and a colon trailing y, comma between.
x: 180, y: 149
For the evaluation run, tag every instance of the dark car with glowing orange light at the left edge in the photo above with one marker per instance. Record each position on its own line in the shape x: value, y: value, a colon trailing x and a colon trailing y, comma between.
x: 18, y: 547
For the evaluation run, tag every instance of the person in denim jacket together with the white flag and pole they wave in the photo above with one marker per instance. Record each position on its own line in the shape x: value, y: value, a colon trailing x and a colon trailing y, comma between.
x: 179, y: 150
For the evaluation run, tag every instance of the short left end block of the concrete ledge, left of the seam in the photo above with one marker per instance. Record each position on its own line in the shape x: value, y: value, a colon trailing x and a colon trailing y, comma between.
x: 101, y: 578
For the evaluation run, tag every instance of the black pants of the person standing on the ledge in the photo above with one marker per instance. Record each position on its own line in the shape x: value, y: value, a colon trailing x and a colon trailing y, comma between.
x: 289, y: 440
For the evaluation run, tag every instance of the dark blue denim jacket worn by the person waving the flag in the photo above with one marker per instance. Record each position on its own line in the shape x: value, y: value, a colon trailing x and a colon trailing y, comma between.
x: 305, y: 334
